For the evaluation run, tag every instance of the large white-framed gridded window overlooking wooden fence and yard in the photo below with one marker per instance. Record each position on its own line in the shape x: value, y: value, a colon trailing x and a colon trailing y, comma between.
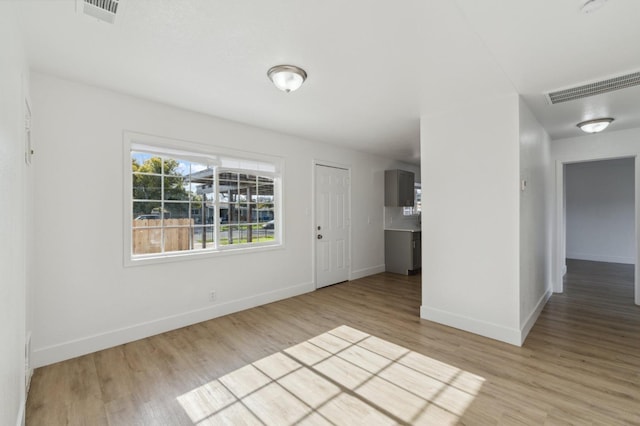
x: 191, y: 202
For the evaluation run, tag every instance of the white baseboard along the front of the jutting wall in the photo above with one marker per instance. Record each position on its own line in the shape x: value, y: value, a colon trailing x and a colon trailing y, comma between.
x: 483, y: 328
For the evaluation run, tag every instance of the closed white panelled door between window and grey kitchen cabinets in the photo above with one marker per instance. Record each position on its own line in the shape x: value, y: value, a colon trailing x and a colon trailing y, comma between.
x: 332, y: 225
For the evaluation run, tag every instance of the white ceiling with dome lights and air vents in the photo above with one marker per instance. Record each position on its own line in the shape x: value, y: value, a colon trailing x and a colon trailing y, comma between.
x: 374, y: 66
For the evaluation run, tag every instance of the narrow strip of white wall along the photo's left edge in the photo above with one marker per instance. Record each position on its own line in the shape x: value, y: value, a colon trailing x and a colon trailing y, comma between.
x: 13, y: 219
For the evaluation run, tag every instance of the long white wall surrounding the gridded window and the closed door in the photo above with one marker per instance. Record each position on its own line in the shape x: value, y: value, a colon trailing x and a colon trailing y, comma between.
x: 86, y: 300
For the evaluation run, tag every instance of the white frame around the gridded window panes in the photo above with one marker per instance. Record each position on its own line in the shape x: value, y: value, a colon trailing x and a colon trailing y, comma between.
x: 225, y: 159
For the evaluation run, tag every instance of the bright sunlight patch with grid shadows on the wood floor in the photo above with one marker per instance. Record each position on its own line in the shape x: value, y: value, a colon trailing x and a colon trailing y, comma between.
x: 341, y: 377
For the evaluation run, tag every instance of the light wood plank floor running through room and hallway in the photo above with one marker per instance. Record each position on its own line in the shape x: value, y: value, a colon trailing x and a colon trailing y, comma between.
x: 579, y: 365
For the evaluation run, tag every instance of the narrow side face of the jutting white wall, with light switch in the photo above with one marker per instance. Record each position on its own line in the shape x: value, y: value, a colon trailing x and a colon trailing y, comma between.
x: 536, y: 218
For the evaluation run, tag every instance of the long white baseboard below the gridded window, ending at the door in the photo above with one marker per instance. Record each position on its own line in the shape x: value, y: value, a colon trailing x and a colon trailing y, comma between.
x: 78, y: 347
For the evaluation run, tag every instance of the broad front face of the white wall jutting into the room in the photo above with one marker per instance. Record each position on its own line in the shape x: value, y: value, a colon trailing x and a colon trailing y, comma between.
x: 470, y: 218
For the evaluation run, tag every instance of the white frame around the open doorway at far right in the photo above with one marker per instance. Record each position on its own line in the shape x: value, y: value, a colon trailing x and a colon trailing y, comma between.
x: 559, y: 262
